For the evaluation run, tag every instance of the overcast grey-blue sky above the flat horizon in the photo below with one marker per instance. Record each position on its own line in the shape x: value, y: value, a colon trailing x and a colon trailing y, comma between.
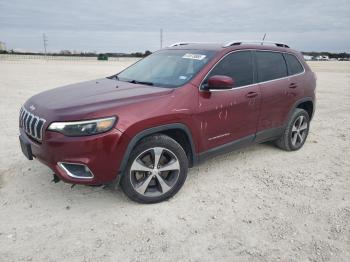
x: 131, y: 25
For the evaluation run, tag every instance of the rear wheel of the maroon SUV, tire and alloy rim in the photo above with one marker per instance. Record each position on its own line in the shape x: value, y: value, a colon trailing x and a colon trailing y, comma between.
x: 296, y: 132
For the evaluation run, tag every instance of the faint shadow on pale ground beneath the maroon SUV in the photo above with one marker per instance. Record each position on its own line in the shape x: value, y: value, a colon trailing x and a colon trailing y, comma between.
x: 112, y: 195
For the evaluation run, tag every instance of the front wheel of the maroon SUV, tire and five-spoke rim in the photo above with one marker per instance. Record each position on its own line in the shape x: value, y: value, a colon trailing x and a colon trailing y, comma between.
x: 144, y: 180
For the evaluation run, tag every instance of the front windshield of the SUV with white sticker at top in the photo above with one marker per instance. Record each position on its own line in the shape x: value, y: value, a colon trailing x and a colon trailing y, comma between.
x: 167, y: 68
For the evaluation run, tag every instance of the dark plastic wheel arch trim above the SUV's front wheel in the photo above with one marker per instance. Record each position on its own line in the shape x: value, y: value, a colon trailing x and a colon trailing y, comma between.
x: 178, y: 131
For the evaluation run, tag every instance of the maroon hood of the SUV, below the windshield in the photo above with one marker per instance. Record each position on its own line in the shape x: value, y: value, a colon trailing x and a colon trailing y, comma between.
x: 90, y: 98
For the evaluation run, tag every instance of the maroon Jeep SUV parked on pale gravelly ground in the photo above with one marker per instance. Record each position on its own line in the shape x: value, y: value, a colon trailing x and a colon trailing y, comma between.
x: 145, y: 126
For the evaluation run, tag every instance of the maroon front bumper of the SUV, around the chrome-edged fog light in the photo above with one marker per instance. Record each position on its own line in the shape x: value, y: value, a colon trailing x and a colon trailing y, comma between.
x: 101, y: 153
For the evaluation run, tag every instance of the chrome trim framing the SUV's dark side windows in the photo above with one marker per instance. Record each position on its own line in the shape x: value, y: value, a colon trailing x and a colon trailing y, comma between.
x: 254, y: 84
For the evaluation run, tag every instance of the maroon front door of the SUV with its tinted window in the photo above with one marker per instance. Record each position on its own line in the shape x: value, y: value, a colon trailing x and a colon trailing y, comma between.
x: 227, y: 116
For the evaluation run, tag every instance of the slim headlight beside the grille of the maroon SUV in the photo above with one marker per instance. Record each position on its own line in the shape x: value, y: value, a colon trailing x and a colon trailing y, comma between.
x: 83, y: 128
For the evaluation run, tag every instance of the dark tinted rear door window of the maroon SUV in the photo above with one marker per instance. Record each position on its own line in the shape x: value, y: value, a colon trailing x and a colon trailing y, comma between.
x: 271, y: 65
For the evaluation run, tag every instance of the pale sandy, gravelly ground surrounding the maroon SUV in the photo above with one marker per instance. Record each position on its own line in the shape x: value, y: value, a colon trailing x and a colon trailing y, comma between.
x: 256, y: 204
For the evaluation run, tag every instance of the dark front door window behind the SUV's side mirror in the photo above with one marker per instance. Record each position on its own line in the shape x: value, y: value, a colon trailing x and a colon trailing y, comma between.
x: 238, y: 65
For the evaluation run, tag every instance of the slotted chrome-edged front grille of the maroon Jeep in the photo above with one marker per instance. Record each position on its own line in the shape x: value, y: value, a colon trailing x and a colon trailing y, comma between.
x: 31, y: 124
